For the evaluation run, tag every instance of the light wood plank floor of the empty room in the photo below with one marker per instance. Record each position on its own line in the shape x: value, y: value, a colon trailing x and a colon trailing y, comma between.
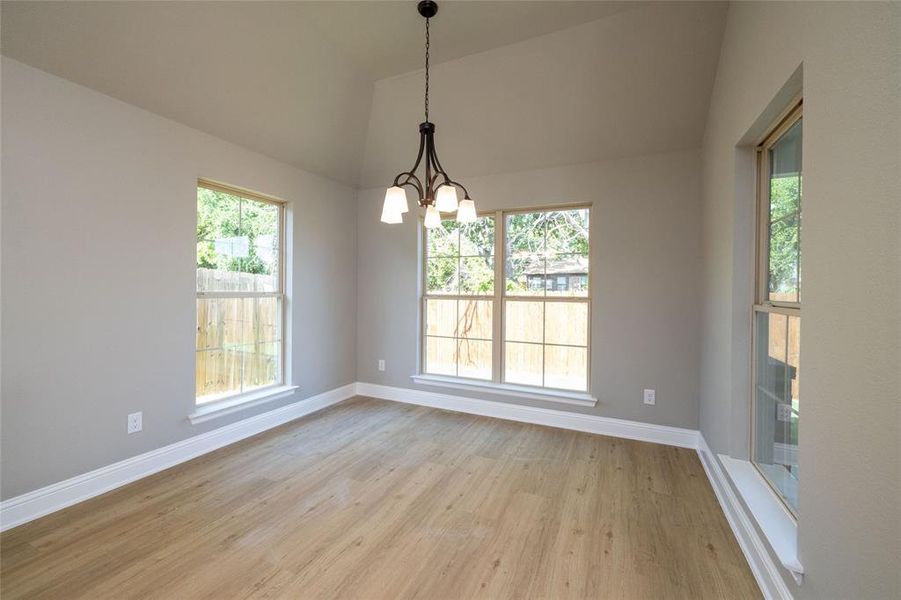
x: 373, y: 499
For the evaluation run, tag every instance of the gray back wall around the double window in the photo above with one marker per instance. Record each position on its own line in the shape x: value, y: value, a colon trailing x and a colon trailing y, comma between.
x: 645, y: 280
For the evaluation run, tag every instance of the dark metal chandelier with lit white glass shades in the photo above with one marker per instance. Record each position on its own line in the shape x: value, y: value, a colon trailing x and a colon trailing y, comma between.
x: 437, y: 191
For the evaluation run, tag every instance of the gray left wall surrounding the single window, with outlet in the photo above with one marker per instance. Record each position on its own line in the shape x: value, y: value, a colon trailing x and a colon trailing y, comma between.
x: 99, y: 206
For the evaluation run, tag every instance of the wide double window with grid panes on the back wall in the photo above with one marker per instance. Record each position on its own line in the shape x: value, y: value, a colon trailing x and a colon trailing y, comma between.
x: 519, y: 320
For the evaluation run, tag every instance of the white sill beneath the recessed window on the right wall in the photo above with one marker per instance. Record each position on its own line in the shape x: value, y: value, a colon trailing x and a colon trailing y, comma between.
x: 778, y: 525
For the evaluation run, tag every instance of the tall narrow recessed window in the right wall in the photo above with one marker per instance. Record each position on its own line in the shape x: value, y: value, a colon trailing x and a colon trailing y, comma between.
x: 777, y: 310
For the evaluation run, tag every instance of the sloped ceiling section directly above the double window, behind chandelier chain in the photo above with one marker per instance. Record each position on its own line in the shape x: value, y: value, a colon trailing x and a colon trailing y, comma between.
x: 634, y: 83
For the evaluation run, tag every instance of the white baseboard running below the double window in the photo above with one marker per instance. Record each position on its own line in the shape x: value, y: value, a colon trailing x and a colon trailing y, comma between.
x: 633, y: 430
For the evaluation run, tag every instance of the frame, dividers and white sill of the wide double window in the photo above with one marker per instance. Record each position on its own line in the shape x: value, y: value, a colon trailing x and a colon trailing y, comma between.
x: 497, y: 385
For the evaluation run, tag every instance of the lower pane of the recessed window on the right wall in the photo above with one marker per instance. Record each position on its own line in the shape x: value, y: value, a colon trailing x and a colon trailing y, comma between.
x: 776, y: 401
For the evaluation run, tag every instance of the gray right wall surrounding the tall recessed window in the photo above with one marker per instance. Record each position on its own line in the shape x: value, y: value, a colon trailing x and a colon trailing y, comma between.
x: 850, y: 522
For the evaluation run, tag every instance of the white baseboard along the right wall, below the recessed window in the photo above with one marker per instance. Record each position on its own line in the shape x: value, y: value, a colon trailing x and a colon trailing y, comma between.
x: 764, y: 568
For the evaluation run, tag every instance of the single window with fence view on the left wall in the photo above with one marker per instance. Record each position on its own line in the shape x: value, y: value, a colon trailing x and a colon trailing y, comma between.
x: 240, y: 292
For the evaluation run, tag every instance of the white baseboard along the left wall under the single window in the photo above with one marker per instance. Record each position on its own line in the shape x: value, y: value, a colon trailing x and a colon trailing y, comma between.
x: 51, y: 498
